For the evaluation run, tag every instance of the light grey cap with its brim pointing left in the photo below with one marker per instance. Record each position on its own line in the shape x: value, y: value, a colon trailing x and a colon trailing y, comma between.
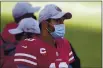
x: 25, y: 26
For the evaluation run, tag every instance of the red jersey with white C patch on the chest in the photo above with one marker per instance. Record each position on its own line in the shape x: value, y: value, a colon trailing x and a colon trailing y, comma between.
x: 38, y: 54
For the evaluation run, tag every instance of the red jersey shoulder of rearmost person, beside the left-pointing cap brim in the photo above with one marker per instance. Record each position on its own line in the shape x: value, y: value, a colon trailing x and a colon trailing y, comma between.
x: 6, y: 35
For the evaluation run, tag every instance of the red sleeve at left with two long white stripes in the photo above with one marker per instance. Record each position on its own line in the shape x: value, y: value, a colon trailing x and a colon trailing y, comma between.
x: 25, y: 54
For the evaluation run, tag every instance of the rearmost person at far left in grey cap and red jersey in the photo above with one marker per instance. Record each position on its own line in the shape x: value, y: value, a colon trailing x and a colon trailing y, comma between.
x: 20, y: 11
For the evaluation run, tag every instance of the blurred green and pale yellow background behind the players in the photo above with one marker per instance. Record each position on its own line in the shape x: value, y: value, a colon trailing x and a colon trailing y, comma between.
x: 83, y: 30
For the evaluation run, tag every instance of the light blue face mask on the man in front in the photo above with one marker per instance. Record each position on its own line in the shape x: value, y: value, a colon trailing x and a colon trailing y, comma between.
x: 59, y: 31
